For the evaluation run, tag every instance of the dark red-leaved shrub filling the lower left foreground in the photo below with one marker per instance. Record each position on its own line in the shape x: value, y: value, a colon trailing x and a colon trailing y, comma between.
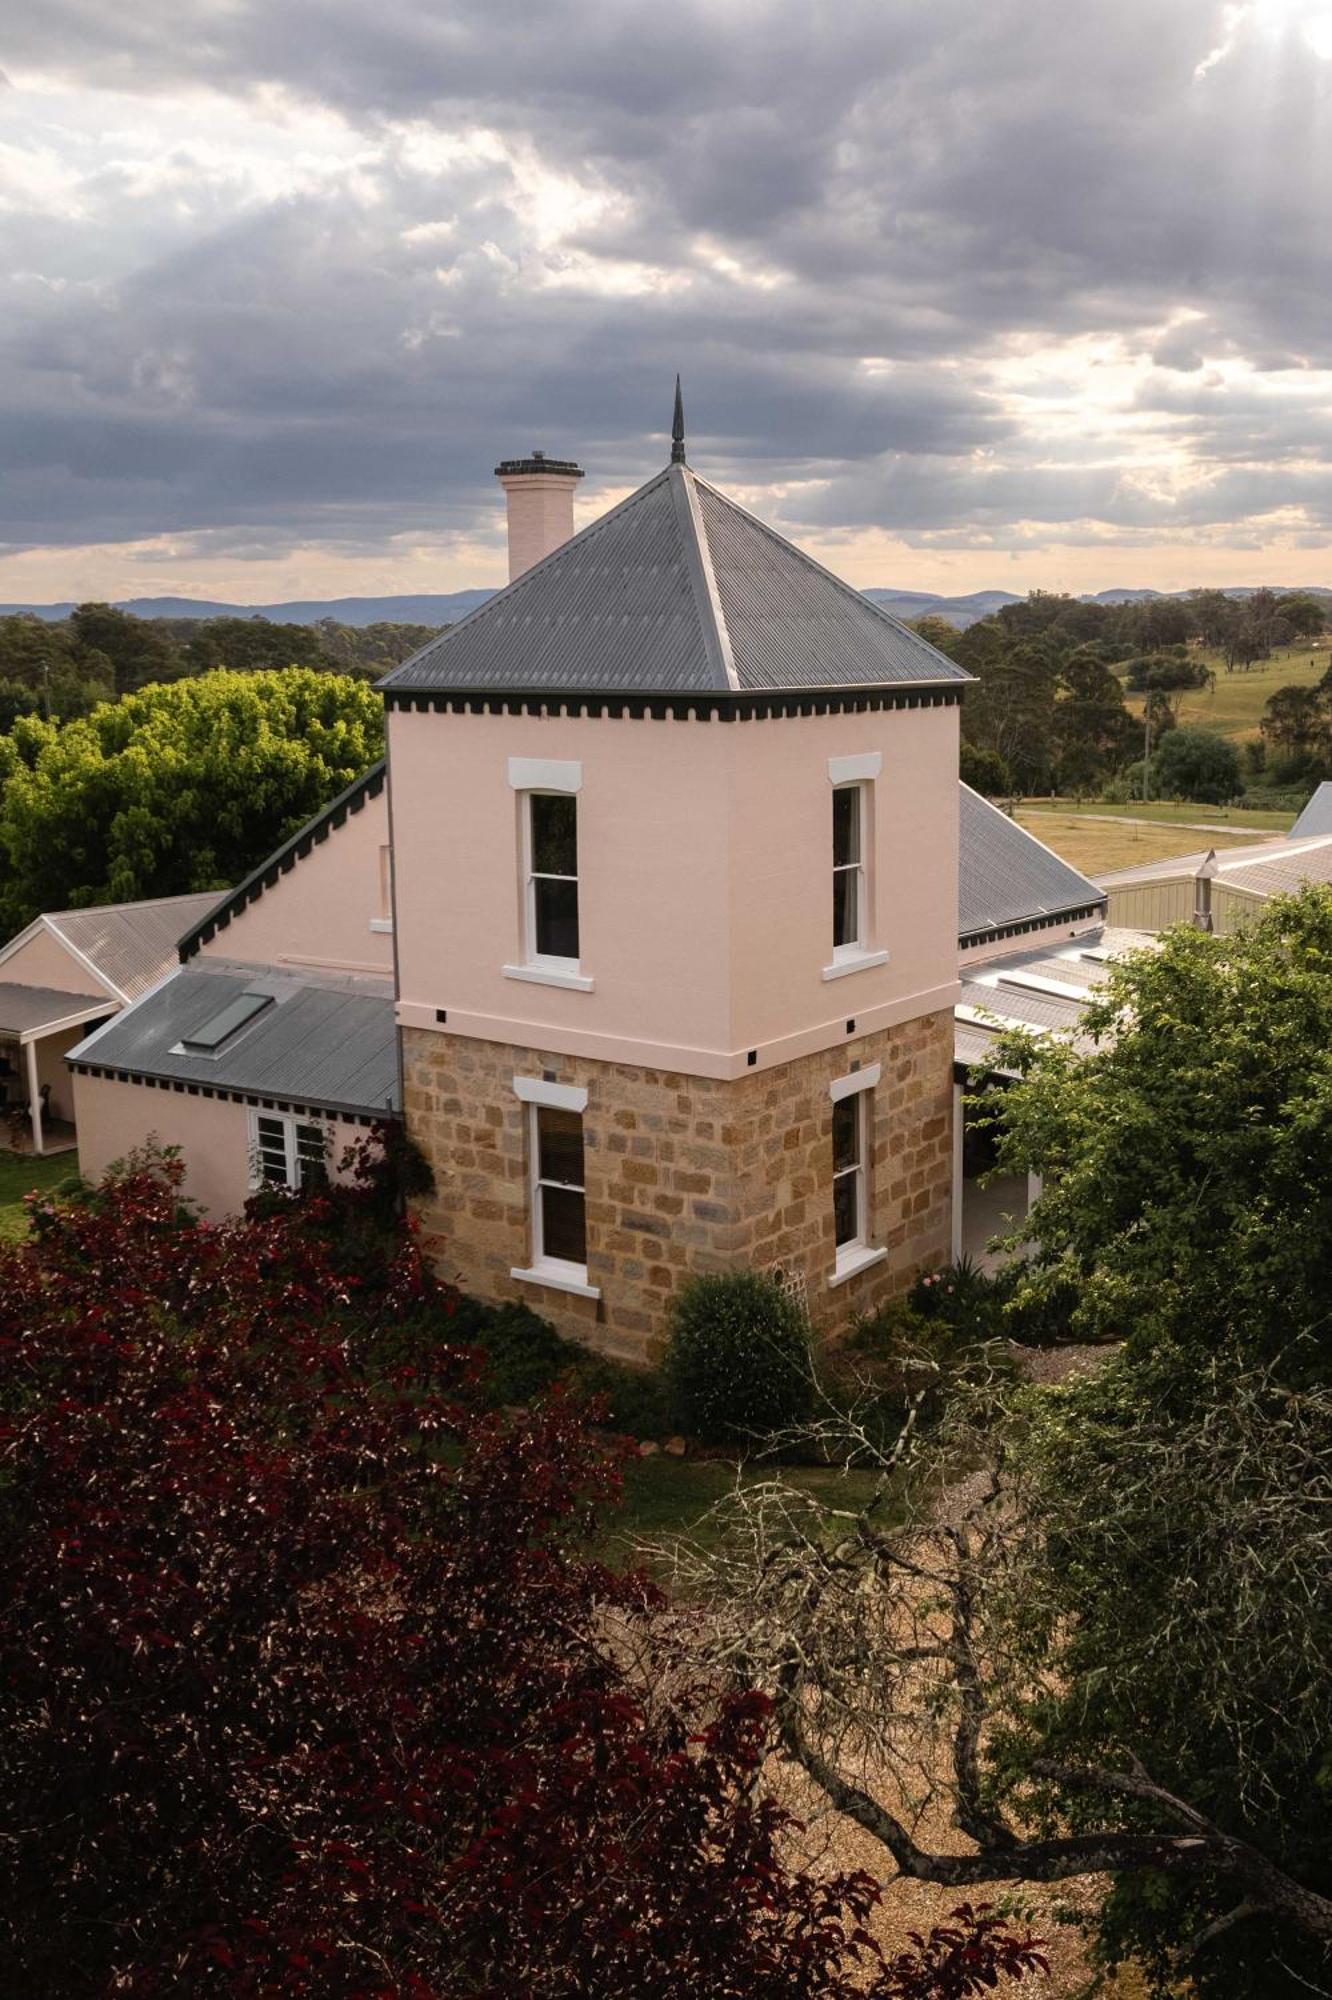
x: 307, y: 1683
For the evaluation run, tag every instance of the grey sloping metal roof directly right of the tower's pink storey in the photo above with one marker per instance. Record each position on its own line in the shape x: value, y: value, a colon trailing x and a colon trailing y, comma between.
x: 1009, y: 879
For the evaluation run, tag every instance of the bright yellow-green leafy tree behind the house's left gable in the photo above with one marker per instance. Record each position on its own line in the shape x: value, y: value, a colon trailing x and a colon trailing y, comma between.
x: 175, y: 789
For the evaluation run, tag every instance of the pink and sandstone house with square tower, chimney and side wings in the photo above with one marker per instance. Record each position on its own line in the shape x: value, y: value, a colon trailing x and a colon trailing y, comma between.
x: 665, y: 971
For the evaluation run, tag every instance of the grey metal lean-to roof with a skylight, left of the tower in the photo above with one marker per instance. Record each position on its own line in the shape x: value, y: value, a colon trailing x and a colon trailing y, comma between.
x: 327, y: 1043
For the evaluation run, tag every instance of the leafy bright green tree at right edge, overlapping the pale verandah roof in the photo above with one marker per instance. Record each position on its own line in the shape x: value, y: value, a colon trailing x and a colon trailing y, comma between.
x: 1183, y: 1143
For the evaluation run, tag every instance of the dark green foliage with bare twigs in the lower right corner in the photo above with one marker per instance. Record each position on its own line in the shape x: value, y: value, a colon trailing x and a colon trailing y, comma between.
x: 1173, y: 1607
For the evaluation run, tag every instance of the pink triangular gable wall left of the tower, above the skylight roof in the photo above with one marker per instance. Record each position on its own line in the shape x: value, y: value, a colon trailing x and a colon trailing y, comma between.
x: 321, y: 911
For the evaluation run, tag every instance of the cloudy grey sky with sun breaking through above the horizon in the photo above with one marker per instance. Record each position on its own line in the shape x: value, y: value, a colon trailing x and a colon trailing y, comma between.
x: 1015, y: 293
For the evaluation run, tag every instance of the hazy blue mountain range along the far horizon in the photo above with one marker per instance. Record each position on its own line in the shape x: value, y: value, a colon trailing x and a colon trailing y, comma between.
x: 455, y: 605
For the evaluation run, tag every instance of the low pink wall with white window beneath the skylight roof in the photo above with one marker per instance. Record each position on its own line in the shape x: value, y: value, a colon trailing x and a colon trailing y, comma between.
x: 215, y: 1137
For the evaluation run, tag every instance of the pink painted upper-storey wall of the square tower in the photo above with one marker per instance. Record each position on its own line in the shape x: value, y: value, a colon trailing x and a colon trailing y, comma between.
x: 705, y: 879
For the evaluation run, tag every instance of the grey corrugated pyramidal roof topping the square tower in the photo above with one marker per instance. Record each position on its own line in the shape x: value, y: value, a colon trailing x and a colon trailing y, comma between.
x: 677, y: 591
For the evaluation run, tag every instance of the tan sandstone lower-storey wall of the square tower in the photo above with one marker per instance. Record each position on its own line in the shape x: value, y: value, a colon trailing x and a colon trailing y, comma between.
x: 685, y: 1175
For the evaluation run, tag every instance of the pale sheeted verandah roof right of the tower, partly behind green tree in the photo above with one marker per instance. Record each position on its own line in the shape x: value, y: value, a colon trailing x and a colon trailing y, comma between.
x: 1045, y: 991
